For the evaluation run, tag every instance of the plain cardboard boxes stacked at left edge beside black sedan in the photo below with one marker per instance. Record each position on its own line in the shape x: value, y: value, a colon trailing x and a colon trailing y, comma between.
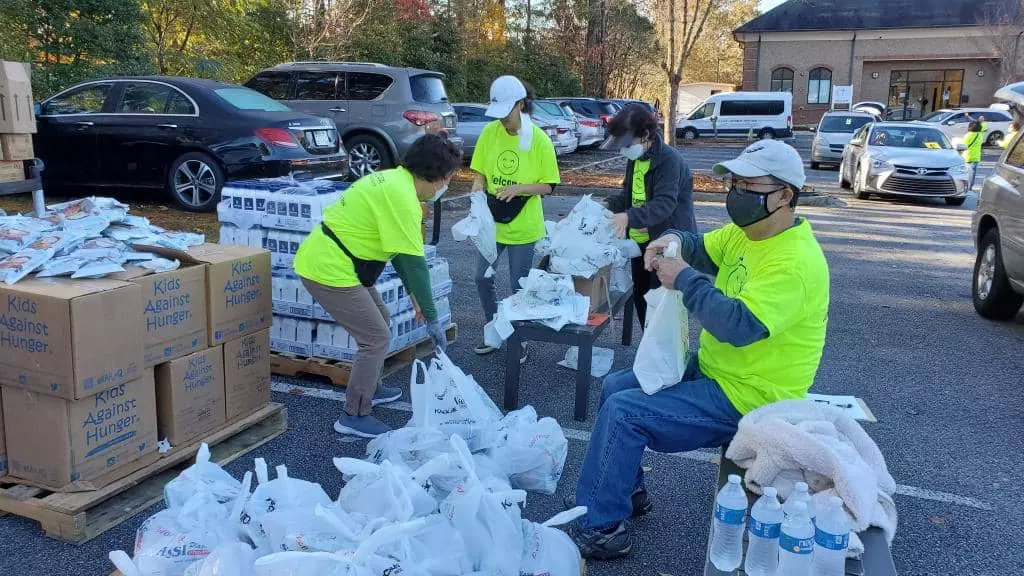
x: 18, y: 120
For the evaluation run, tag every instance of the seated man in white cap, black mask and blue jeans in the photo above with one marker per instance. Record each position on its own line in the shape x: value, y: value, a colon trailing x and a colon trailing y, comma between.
x: 759, y: 287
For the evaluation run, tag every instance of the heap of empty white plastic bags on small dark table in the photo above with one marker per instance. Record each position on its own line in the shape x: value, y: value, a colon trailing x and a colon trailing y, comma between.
x: 548, y: 299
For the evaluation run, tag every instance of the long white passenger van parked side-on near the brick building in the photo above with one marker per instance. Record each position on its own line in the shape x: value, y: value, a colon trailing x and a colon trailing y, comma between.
x: 770, y: 115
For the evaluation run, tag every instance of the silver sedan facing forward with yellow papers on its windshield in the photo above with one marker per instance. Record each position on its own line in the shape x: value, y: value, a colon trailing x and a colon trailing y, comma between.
x: 904, y: 159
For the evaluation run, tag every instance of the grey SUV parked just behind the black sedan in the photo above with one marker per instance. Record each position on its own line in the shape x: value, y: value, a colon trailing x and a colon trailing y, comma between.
x: 379, y: 110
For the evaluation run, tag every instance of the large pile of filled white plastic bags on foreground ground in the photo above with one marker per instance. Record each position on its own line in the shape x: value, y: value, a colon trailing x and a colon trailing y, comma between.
x: 429, y: 502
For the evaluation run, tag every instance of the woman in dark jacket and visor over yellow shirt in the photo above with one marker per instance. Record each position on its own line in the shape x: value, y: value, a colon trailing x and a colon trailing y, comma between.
x: 658, y: 192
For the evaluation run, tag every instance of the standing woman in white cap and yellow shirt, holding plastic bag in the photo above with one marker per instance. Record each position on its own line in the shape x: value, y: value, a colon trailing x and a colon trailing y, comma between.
x: 515, y: 162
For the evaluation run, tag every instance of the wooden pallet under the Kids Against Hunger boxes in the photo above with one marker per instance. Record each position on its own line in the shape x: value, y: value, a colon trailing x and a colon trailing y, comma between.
x: 78, y: 517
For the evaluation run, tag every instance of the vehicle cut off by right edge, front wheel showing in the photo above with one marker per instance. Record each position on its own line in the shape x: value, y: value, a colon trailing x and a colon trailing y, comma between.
x: 998, y: 286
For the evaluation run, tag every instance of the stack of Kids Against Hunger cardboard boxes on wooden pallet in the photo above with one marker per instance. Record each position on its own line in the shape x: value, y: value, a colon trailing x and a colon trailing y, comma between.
x: 95, y: 373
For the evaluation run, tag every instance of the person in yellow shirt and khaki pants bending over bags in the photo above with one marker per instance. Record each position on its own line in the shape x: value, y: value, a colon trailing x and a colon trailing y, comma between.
x: 377, y: 221
